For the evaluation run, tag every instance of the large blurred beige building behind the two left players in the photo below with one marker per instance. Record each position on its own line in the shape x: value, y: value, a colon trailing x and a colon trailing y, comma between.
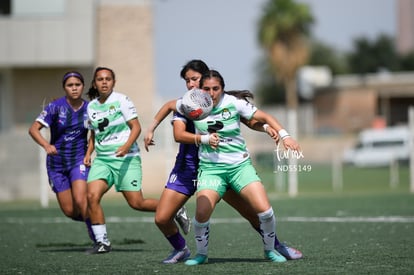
x: 43, y: 39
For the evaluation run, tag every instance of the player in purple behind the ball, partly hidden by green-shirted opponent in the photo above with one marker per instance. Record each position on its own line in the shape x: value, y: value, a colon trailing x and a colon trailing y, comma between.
x: 181, y: 183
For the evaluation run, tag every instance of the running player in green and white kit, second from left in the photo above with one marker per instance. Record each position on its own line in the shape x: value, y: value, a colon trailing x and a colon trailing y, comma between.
x: 114, y: 131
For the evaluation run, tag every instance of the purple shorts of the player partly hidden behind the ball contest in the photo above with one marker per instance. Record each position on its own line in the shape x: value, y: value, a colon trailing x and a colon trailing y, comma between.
x: 182, y: 182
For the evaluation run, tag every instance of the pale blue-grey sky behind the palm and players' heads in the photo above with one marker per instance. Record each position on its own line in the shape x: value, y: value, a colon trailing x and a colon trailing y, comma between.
x: 223, y: 33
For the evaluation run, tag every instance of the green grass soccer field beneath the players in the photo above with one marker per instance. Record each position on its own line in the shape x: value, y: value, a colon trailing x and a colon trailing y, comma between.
x: 367, y: 228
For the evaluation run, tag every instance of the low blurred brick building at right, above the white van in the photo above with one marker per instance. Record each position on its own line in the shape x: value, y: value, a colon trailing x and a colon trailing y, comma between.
x: 352, y: 102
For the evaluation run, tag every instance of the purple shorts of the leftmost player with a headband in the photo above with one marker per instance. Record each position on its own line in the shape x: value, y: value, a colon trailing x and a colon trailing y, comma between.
x: 61, y: 180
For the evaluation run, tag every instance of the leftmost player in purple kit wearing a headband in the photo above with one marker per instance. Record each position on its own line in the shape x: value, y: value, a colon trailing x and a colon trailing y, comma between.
x: 66, y: 118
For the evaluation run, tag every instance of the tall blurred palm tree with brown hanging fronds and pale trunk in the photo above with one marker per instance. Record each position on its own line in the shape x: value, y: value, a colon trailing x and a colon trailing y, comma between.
x: 282, y: 33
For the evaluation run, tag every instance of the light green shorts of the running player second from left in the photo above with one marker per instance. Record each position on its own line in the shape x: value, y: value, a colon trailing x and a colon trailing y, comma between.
x: 124, y: 173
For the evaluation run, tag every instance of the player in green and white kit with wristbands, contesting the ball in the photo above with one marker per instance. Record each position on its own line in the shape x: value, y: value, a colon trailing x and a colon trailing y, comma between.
x: 225, y: 163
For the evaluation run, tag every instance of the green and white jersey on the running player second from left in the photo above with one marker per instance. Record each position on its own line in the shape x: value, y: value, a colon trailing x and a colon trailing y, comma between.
x: 108, y: 121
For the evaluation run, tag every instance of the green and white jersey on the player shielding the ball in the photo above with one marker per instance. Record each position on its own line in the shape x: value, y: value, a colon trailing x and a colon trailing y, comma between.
x: 224, y: 119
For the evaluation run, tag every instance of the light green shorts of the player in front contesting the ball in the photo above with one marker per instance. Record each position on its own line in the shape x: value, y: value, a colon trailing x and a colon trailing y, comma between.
x: 221, y: 179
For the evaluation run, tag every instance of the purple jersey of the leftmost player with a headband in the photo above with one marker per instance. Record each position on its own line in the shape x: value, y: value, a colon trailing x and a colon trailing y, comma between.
x: 68, y: 133
